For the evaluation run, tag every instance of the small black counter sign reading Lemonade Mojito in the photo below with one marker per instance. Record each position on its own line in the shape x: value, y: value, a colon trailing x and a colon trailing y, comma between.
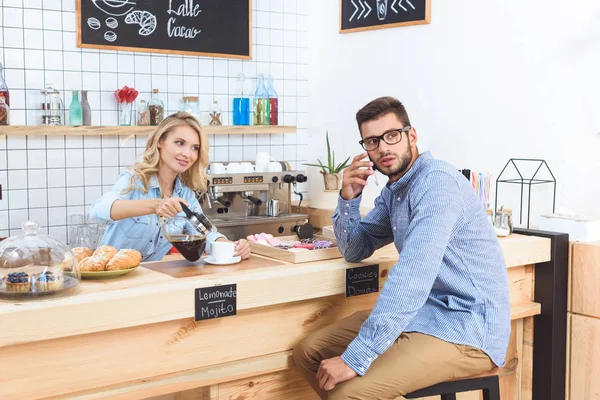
x: 215, y: 302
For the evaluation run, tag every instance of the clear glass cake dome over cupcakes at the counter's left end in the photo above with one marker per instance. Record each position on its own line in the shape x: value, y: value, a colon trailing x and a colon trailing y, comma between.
x: 35, y: 265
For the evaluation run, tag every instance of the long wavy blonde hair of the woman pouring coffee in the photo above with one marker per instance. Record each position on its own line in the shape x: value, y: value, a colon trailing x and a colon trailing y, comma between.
x: 195, y: 177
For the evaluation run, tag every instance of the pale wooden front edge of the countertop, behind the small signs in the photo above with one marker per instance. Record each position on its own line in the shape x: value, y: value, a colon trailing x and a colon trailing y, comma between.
x: 86, y: 312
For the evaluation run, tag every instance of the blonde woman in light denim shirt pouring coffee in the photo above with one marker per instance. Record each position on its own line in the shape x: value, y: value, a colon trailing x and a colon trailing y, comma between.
x: 171, y: 171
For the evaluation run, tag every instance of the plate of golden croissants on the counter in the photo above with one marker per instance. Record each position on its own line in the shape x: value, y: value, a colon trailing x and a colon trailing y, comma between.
x: 106, y: 261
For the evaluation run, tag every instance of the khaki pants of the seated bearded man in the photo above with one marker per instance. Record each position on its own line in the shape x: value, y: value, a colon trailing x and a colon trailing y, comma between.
x: 413, y: 362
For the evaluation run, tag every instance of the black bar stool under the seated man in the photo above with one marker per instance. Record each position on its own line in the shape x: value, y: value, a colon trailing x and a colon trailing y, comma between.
x: 486, y: 382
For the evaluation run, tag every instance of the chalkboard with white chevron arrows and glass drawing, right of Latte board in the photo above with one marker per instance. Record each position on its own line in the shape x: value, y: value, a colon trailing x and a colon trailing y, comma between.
x: 360, y: 15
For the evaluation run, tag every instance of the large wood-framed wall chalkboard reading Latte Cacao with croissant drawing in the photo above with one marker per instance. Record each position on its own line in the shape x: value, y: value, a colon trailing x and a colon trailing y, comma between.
x: 219, y: 28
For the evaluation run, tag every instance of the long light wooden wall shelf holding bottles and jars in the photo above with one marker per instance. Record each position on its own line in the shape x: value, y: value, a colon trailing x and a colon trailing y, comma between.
x: 136, y: 130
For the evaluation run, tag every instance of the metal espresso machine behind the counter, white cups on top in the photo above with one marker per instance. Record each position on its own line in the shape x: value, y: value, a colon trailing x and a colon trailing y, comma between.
x: 244, y: 203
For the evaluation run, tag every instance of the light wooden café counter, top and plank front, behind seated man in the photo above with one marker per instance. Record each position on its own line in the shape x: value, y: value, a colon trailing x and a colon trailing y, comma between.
x: 135, y: 336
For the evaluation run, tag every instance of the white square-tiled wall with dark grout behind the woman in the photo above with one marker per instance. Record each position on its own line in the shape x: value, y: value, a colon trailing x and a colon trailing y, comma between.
x: 49, y: 178
